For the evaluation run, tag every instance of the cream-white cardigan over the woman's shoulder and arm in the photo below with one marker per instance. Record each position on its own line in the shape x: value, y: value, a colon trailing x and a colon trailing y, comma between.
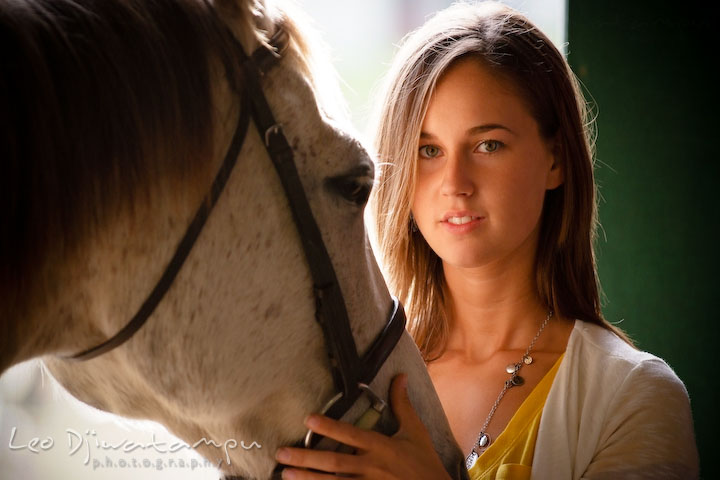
x: 614, y: 412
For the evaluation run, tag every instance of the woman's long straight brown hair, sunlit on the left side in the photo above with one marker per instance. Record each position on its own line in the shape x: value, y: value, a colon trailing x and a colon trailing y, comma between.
x: 515, y: 49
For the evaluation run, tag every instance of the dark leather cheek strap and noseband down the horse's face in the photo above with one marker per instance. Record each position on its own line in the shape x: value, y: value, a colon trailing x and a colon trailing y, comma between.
x: 348, y: 370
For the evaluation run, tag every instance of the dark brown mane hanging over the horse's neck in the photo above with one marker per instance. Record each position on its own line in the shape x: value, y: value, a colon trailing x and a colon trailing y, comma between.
x: 100, y: 102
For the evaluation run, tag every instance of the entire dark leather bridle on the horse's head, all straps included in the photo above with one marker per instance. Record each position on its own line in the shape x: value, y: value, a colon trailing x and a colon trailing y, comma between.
x: 351, y: 373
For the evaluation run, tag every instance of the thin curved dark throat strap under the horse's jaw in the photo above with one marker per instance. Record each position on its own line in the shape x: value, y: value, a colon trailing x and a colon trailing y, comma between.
x: 184, y: 247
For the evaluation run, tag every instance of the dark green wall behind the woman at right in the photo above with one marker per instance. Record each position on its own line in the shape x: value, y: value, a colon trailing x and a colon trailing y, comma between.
x: 647, y: 66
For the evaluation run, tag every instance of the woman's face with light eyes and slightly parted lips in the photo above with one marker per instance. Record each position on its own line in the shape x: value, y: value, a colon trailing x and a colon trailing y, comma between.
x: 483, y: 170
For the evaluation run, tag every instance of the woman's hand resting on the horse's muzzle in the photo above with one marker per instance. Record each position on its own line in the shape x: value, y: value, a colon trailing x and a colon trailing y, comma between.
x: 407, y: 454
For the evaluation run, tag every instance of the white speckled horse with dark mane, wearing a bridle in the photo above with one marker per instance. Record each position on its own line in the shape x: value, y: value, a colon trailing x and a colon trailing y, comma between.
x: 115, y: 116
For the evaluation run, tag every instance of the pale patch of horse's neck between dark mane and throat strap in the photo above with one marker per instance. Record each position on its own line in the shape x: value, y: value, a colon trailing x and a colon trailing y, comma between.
x: 86, y: 297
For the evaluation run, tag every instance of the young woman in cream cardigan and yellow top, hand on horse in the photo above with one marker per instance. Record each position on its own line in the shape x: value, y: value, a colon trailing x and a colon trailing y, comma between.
x: 485, y: 218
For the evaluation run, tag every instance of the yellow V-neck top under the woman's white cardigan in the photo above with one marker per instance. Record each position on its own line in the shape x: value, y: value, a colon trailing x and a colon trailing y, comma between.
x: 509, y: 457
